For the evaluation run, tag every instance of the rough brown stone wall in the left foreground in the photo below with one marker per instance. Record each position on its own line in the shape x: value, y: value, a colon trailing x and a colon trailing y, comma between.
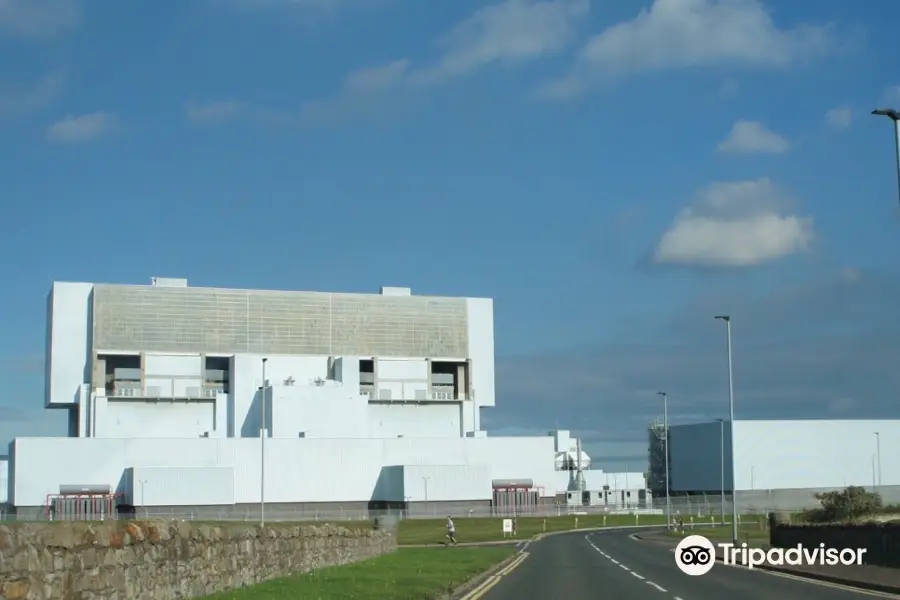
x: 162, y: 560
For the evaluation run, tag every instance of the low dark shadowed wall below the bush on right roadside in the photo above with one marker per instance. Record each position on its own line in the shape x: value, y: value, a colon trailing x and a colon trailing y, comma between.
x: 881, y: 540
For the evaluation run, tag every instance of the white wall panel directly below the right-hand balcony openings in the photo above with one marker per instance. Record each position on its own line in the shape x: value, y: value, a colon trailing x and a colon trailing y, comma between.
x: 414, y: 420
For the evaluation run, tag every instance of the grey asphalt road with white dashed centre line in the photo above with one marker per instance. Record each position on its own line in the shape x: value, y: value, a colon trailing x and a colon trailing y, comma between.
x: 612, y: 565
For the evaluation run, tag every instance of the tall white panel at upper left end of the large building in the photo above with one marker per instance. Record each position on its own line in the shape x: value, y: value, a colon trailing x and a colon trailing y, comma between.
x: 69, y: 339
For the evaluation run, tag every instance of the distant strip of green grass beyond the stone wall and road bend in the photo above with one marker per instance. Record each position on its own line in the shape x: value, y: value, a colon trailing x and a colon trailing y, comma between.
x: 433, y: 531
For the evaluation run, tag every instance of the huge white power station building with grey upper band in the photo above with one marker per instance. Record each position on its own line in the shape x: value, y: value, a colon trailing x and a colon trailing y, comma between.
x: 369, y: 399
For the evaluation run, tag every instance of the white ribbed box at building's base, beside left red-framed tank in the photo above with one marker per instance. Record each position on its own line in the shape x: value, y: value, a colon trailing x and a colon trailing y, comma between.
x: 181, y: 486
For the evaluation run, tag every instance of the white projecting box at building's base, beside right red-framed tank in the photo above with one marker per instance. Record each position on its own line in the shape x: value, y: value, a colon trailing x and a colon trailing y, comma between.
x: 445, y: 483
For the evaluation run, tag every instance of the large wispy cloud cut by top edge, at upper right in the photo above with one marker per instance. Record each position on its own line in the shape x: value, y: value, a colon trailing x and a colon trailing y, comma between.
x: 691, y: 33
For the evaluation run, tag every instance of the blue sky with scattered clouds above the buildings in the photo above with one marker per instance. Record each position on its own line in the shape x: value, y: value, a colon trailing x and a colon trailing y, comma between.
x: 613, y: 174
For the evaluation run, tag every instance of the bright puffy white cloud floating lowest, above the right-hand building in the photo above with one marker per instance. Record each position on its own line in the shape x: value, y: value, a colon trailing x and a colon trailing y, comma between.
x: 735, y: 224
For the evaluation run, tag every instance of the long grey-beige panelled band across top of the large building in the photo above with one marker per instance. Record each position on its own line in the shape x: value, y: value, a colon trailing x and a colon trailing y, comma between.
x: 234, y: 321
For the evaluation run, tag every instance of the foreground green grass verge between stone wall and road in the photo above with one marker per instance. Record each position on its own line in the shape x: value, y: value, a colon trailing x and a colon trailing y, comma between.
x: 408, y: 574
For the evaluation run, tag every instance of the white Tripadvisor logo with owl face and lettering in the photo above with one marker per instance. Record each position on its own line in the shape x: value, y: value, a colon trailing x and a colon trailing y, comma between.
x: 696, y: 555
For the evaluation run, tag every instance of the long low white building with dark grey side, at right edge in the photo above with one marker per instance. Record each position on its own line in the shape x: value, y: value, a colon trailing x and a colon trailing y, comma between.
x: 782, y: 464
